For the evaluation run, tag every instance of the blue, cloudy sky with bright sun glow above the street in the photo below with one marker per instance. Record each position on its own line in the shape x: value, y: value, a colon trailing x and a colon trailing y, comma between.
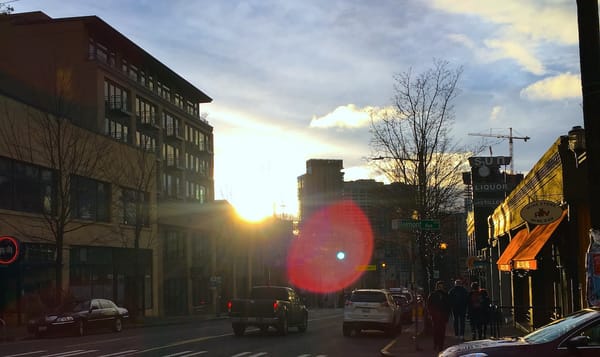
x: 294, y: 80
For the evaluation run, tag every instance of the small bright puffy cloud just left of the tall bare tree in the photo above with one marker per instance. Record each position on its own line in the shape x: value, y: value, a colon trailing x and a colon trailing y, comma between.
x: 348, y: 116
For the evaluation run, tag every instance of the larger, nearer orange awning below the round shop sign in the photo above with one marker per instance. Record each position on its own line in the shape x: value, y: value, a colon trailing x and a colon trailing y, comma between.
x: 525, y: 257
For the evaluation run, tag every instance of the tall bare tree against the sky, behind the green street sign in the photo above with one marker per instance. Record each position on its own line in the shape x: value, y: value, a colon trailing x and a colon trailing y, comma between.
x: 413, y: 139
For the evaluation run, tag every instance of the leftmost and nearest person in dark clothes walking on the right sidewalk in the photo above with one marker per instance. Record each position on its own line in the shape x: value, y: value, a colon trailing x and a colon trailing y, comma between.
x: 438, y: 307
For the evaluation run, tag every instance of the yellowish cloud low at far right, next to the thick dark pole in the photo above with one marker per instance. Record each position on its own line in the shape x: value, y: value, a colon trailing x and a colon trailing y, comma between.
x: 562, y: 86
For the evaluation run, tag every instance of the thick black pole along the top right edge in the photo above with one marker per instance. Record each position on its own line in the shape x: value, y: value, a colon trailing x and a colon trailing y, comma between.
x: 589, y: 58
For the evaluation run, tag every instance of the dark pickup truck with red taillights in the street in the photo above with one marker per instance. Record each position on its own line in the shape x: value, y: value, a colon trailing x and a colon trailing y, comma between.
x: 277, y: 306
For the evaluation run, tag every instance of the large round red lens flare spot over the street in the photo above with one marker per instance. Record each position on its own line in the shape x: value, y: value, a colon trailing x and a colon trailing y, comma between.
x: 313, y: 263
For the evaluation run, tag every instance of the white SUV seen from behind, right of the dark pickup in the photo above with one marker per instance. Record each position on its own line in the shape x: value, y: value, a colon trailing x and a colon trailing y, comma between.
x: 371, y: 309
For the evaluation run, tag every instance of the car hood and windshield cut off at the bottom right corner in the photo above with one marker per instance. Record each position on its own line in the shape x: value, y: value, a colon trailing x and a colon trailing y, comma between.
x: 575, y: 335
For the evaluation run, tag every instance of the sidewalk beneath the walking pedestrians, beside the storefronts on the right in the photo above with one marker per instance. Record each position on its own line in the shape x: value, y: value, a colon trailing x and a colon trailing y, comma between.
x: 406, y: 344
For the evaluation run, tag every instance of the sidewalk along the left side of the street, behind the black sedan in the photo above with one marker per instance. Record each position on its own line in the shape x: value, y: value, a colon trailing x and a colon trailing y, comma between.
x: 16, y: 333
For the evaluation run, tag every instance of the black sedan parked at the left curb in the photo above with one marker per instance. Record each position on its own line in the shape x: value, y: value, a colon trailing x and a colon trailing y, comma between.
x: 80, y: 316
